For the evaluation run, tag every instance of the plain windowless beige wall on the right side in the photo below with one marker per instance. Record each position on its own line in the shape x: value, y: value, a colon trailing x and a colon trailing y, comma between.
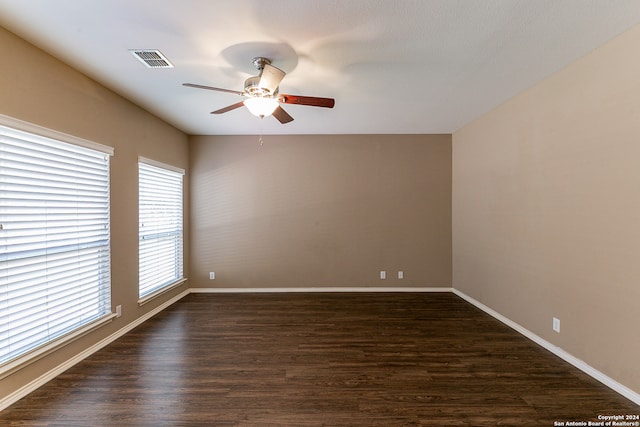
x: 546, y: 209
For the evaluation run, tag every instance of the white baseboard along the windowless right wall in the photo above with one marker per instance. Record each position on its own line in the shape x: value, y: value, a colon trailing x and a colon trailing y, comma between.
x: 578, y: 363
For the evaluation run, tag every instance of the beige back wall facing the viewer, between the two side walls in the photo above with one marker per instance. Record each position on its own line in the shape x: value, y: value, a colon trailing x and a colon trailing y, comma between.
x: 321, y: 210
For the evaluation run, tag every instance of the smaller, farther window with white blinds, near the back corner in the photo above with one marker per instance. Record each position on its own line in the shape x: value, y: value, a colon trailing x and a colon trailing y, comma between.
x: 160, y: 261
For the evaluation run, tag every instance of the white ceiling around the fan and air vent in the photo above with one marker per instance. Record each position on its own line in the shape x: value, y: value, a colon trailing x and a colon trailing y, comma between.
x: 393, y: 66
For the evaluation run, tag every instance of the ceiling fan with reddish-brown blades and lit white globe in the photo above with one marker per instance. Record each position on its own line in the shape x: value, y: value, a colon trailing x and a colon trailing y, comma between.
x: 261, y: 93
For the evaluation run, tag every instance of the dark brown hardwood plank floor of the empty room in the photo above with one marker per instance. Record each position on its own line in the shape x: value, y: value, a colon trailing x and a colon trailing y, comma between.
x: 361, y: 359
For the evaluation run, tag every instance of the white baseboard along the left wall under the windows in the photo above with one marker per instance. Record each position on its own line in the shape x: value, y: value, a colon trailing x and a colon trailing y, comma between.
x: 48, y: 376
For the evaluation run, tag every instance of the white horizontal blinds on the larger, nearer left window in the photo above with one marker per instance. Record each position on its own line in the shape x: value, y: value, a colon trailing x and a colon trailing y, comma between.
x: 54, y: 240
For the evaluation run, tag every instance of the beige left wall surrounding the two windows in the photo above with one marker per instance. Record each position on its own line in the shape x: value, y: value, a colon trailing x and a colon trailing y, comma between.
x: 36, y: 88
